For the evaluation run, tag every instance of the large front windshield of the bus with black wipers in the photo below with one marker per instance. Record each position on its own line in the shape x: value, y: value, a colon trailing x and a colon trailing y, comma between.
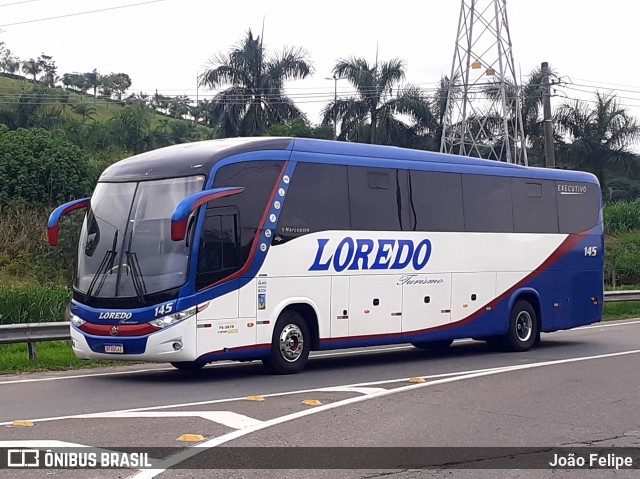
x: 125, y: 244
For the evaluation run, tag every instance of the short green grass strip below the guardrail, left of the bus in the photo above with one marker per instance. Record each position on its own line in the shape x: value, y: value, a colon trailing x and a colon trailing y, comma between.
x: 52, y: 356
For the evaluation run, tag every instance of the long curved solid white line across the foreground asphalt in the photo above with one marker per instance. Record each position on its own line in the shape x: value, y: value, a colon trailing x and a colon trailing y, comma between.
x: 195, y: 450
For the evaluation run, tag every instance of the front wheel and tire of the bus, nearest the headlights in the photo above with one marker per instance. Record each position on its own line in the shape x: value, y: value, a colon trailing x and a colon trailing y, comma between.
x: 290, y: 344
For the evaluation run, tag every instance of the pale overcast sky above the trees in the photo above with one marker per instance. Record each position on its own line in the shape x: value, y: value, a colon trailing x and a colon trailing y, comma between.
x: 164, y: 44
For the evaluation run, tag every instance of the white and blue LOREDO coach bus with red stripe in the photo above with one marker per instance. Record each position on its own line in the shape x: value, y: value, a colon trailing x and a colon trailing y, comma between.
x: 268, y: 248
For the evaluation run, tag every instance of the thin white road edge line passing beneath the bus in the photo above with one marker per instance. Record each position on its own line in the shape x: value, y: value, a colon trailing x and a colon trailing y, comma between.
x: 313, y: 355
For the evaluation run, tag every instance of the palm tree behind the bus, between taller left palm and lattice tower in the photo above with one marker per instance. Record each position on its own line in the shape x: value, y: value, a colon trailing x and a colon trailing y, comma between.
x: 371, y: 116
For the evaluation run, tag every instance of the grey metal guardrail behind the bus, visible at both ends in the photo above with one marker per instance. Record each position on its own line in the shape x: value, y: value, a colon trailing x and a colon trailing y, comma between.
x: 32, y: 333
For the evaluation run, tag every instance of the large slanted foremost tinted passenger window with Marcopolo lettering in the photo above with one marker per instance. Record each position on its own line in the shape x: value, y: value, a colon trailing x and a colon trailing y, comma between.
x: 317, y: 200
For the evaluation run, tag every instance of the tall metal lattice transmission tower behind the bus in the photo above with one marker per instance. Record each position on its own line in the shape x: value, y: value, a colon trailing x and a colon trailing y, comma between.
x: 483, y: 117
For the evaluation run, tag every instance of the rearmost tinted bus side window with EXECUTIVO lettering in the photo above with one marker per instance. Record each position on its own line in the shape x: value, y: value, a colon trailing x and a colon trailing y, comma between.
x: 578, y: 206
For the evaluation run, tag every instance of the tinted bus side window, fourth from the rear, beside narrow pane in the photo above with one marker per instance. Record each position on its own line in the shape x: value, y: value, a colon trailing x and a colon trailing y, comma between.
x: 436, y: 201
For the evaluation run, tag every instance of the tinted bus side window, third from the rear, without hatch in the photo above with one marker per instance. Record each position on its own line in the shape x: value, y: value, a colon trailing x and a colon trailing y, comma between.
x: 487, y: 203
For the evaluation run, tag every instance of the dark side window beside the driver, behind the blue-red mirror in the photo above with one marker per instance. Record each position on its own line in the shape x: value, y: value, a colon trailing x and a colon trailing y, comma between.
x: 219, y: 245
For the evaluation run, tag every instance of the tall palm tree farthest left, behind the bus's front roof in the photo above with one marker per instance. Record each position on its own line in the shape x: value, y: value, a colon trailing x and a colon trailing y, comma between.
x: 255, y: 98
